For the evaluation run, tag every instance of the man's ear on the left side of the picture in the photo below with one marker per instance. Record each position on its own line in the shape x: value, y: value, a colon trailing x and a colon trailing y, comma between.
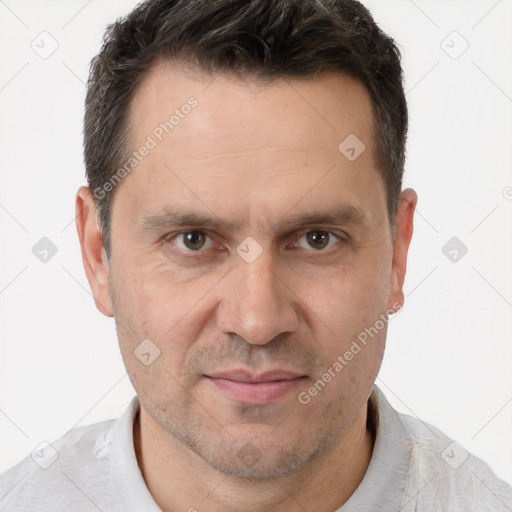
x: 94, y: 258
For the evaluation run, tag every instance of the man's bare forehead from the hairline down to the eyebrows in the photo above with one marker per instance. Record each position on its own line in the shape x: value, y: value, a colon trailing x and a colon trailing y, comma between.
x: 248, y: 144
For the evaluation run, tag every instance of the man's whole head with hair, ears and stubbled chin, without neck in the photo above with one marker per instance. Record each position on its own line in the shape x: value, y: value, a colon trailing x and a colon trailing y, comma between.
x: 244, y: 212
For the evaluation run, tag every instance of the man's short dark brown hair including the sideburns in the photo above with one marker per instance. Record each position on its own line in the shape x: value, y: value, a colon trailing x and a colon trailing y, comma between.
x: 265, y: 39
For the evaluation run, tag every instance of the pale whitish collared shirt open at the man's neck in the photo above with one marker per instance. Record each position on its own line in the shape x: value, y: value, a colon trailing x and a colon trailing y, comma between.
x: 414, y: 467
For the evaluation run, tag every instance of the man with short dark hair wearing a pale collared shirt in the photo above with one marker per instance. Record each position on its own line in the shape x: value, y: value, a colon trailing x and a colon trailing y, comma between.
x: 245, y: 226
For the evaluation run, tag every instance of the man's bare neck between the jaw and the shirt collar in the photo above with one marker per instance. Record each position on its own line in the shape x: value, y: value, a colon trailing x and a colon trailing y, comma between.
x: 180, y: 480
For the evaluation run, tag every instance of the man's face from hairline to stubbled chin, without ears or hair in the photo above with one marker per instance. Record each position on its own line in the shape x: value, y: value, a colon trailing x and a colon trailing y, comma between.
x: 253, y: 289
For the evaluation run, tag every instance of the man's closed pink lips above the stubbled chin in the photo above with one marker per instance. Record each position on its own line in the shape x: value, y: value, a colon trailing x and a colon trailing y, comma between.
x: 256, y: 389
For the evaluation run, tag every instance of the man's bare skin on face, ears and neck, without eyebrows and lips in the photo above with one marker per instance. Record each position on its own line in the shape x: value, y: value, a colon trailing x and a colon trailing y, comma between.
x: 255, y: 155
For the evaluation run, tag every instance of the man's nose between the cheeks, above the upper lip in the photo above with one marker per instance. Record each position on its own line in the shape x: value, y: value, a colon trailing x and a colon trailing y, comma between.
x: 257, y: 302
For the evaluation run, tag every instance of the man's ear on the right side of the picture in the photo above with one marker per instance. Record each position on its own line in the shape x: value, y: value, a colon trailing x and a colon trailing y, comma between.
x: 402, y: 239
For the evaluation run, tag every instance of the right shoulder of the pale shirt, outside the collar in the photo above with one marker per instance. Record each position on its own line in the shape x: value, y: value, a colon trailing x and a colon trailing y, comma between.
x: 443, y: 475
